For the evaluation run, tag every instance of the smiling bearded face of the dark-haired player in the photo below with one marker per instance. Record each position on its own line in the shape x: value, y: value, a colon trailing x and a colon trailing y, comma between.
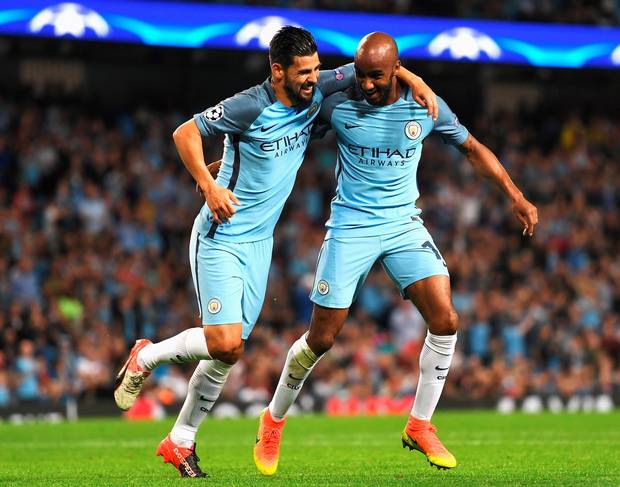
x: 299, y: 79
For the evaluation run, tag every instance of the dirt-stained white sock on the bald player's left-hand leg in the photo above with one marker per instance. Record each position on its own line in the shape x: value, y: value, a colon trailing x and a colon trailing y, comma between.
x: 299, y: 363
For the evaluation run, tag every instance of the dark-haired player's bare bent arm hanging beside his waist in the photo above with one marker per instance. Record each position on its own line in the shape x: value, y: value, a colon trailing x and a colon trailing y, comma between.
x: 188, y: 141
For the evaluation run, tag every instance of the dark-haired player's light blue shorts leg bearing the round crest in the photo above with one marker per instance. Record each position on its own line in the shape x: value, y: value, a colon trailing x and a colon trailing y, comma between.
x: 218, y: 279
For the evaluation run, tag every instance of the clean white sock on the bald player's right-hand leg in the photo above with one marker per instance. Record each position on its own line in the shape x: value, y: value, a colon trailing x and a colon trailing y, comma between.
x: 435, y: 360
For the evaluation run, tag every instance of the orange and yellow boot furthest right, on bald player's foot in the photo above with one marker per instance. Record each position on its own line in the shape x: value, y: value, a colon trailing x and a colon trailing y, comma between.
x: 420, y: 435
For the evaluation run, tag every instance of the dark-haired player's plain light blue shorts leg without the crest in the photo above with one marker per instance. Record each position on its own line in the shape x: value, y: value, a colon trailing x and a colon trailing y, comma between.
x: 257, y: 260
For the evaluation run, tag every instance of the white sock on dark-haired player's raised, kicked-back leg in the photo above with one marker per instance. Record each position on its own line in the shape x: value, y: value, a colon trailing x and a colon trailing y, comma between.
x: 188, y: 346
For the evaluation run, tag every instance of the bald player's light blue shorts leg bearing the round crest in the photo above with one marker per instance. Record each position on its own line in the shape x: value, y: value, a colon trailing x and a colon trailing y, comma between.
x: 342, y: 267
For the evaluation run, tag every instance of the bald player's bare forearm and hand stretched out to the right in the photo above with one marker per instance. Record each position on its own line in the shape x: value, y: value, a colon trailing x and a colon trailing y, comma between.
x: 486, y: 164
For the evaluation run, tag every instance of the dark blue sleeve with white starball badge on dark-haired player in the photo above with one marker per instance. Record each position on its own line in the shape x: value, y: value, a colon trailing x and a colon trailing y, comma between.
x: 234, y: 115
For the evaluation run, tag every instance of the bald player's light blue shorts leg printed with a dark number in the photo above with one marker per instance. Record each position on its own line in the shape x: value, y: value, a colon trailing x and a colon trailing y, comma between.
x: 412, y: 256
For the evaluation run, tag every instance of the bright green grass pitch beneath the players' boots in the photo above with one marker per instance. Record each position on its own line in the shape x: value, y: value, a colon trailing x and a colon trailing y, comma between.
x: 567, y: 449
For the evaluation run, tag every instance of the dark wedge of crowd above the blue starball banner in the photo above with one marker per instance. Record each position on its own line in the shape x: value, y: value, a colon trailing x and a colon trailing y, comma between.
x: 597, y: 12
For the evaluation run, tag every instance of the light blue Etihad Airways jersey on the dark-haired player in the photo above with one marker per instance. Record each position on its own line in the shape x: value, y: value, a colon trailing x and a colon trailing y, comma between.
x: 264, y: 145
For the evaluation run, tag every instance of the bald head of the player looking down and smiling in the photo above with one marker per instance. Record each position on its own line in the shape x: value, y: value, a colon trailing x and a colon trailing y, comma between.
x: 376, y: 65
